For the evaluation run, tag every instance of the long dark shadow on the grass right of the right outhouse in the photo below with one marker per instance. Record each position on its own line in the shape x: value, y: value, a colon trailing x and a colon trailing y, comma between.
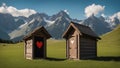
x: 107, y: 58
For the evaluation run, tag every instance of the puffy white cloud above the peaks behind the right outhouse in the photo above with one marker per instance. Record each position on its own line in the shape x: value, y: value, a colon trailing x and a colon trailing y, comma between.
x: 93, y: 9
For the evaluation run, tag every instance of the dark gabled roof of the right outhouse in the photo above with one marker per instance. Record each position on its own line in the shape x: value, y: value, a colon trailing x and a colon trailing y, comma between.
x: 82, y: 29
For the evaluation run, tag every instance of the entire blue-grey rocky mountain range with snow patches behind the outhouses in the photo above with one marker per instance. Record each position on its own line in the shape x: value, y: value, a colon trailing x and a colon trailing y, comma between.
x: 15, y: 28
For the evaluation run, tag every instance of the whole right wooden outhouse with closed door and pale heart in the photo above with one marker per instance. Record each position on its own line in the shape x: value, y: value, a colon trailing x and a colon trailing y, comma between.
x: 81, y: 42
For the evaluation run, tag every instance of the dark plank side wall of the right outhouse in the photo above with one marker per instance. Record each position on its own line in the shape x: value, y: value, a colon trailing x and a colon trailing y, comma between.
x: 87, y: 48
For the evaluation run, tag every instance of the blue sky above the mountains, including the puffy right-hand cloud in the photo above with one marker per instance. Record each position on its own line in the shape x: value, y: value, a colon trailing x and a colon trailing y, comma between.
x: 79, y: 9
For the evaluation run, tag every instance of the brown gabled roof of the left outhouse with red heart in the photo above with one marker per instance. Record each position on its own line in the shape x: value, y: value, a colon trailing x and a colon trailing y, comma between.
x: 38, y: 29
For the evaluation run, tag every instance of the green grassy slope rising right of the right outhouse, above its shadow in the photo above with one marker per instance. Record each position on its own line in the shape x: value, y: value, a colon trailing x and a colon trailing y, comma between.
x: 110, y: 43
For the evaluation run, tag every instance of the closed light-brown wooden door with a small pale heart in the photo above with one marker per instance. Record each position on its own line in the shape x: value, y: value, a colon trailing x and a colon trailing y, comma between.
x: 73, y: 47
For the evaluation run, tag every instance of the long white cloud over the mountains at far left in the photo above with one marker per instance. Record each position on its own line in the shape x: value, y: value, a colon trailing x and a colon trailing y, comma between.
x: 15, y: 12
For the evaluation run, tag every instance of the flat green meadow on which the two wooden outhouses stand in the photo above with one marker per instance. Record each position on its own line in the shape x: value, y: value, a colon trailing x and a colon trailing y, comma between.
x: 12, y: 56
